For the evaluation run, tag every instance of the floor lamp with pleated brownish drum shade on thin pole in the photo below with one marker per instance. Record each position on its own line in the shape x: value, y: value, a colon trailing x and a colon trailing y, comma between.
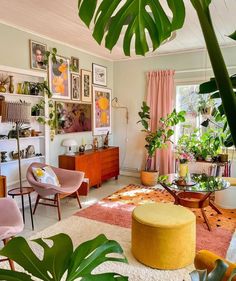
x: 18, y: 113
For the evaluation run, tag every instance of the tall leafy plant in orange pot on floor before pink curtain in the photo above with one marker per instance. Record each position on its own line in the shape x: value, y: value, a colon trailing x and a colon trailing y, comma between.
x: 157, y: 139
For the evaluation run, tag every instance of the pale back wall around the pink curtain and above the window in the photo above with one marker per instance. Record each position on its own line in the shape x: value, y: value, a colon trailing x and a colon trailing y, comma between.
x: 130, y: 88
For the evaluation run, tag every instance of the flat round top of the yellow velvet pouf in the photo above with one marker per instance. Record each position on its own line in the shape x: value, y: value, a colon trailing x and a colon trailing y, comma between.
x: 163, y: 215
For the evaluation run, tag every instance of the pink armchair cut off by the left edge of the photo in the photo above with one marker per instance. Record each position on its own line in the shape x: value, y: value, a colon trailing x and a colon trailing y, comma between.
x: 11, y: 222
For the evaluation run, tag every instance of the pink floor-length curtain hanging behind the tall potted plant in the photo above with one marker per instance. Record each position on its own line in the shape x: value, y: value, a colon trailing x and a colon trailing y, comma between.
x: 160, y: 87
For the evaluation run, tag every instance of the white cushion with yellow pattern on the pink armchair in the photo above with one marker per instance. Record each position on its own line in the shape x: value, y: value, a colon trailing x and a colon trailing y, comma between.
x: 45, y: 175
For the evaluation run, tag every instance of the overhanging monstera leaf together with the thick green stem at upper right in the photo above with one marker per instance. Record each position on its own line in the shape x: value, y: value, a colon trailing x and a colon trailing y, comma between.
x: 135, y: 18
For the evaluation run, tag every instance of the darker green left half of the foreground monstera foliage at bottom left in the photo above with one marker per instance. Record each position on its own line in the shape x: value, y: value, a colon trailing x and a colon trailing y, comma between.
x: 54, y: 260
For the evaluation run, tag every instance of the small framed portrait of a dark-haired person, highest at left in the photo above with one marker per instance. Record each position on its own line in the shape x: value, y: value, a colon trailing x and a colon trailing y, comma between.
x: 37, y: 55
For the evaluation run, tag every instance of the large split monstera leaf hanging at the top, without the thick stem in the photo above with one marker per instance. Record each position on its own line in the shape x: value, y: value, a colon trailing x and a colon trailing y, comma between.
x: 133, y: 17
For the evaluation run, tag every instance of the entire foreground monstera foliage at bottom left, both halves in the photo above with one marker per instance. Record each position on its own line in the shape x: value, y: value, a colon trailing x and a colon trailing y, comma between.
x: 60, y: 259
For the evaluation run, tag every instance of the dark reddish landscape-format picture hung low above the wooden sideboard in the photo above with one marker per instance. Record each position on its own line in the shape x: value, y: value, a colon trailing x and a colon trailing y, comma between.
x: 73, y: 117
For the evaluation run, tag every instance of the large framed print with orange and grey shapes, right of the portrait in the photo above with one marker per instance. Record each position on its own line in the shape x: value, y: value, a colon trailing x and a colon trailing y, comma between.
x: 59, y: 78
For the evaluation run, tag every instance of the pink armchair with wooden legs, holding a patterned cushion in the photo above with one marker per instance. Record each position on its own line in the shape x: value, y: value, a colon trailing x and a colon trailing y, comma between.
x: 70, y: 183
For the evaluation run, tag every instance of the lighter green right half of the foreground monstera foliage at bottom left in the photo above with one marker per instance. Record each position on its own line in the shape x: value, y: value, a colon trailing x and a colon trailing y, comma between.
x: 92, y: 253
